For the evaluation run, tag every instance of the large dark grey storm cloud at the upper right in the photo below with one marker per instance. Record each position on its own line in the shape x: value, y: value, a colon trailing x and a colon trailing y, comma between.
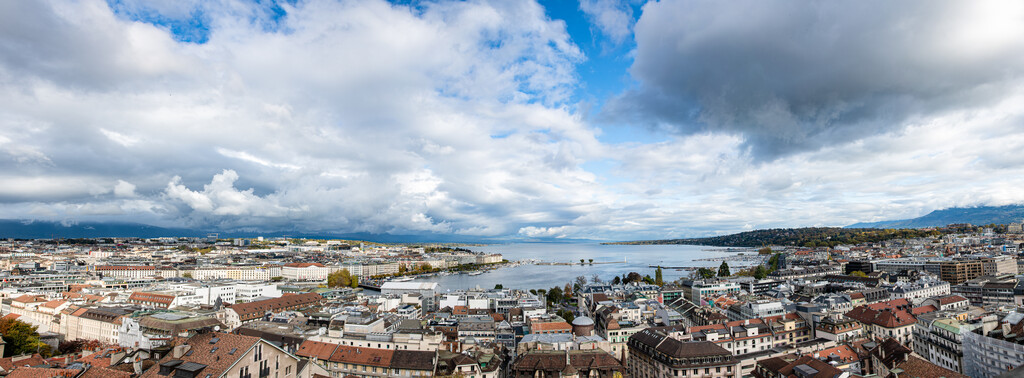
x: 798, y: 76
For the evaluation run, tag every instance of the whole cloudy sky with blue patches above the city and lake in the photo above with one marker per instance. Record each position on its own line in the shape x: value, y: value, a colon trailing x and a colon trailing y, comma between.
x: 517, y: 120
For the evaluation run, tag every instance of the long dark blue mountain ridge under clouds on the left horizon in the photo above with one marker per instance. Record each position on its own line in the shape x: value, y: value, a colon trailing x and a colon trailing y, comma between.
x: 21, y: 229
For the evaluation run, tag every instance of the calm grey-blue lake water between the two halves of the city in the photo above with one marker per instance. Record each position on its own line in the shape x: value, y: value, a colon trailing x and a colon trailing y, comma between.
x: 637, y: 259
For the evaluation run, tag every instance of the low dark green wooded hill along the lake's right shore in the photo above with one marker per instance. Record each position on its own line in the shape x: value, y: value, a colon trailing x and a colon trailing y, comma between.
x: 808, y: 237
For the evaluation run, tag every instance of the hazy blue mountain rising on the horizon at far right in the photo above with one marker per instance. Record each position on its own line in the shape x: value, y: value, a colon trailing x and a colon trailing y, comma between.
x: 980, y: 216
